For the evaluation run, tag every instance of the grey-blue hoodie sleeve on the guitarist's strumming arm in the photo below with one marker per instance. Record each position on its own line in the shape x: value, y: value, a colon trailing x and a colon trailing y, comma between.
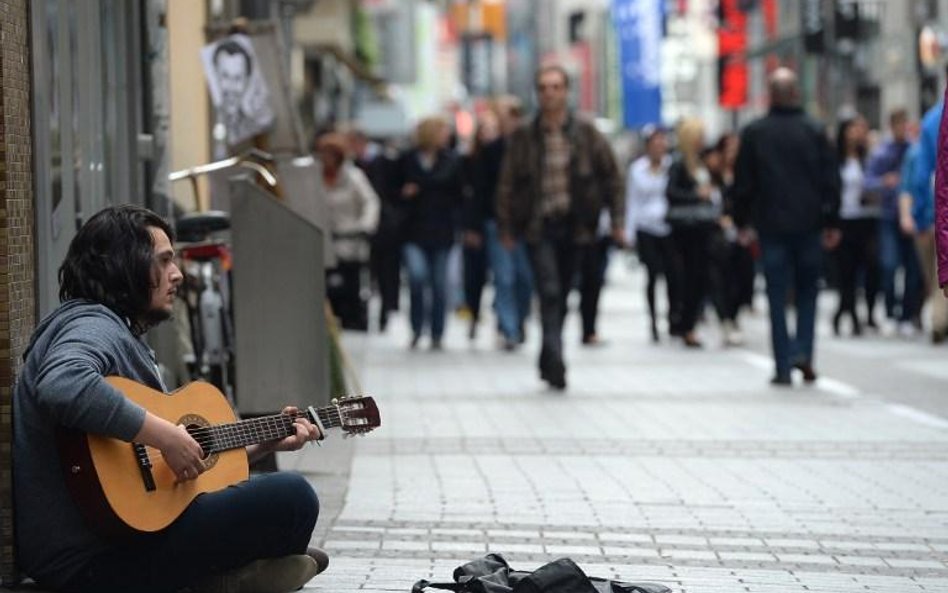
x: 70, y: 383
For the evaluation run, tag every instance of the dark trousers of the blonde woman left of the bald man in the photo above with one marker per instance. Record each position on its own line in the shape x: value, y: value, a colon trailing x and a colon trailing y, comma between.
x: 693, y: 260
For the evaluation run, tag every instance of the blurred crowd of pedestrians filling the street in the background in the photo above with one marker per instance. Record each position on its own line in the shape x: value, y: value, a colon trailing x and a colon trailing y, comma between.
x: 533, y: 206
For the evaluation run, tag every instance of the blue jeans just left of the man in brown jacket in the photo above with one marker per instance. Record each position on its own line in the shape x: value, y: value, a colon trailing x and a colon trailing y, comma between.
x: 513, y: 282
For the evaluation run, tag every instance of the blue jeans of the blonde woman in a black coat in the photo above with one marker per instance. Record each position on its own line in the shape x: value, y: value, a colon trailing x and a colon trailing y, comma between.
x: 427, y: 275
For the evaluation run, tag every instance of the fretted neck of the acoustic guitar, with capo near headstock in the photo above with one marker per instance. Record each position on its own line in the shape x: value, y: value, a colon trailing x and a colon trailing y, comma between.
x: 223, y: 437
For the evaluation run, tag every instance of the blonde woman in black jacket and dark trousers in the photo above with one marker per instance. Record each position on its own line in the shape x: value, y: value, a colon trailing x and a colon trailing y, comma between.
x: 693, y: 210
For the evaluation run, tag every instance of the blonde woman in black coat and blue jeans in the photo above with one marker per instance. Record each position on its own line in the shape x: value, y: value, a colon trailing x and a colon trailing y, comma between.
x: 431, y: 192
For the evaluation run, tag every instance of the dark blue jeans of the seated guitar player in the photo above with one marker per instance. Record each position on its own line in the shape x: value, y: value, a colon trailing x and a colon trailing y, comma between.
x: 268, y: 516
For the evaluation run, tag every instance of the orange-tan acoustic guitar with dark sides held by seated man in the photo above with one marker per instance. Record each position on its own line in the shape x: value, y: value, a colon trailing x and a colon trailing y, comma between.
x: 124, y: 488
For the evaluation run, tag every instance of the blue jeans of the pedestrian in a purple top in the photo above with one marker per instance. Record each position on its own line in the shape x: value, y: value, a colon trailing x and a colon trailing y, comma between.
x: 897, y: 250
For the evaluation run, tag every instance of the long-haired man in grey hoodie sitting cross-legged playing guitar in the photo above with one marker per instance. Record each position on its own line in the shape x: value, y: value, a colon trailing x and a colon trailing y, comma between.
x: 118, y: 280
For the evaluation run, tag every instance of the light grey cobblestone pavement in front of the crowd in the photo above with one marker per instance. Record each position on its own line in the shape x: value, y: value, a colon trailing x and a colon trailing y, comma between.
x: 658, y: 463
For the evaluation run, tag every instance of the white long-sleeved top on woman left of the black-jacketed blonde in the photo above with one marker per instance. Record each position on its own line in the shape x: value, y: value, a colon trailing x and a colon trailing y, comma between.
x: 645, y: 201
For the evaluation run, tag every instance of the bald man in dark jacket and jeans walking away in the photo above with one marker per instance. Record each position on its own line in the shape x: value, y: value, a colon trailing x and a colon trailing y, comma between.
x: 787, y: 186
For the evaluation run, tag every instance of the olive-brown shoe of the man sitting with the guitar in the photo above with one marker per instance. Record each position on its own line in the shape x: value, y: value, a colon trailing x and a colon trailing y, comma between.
x: 268, y: 575
